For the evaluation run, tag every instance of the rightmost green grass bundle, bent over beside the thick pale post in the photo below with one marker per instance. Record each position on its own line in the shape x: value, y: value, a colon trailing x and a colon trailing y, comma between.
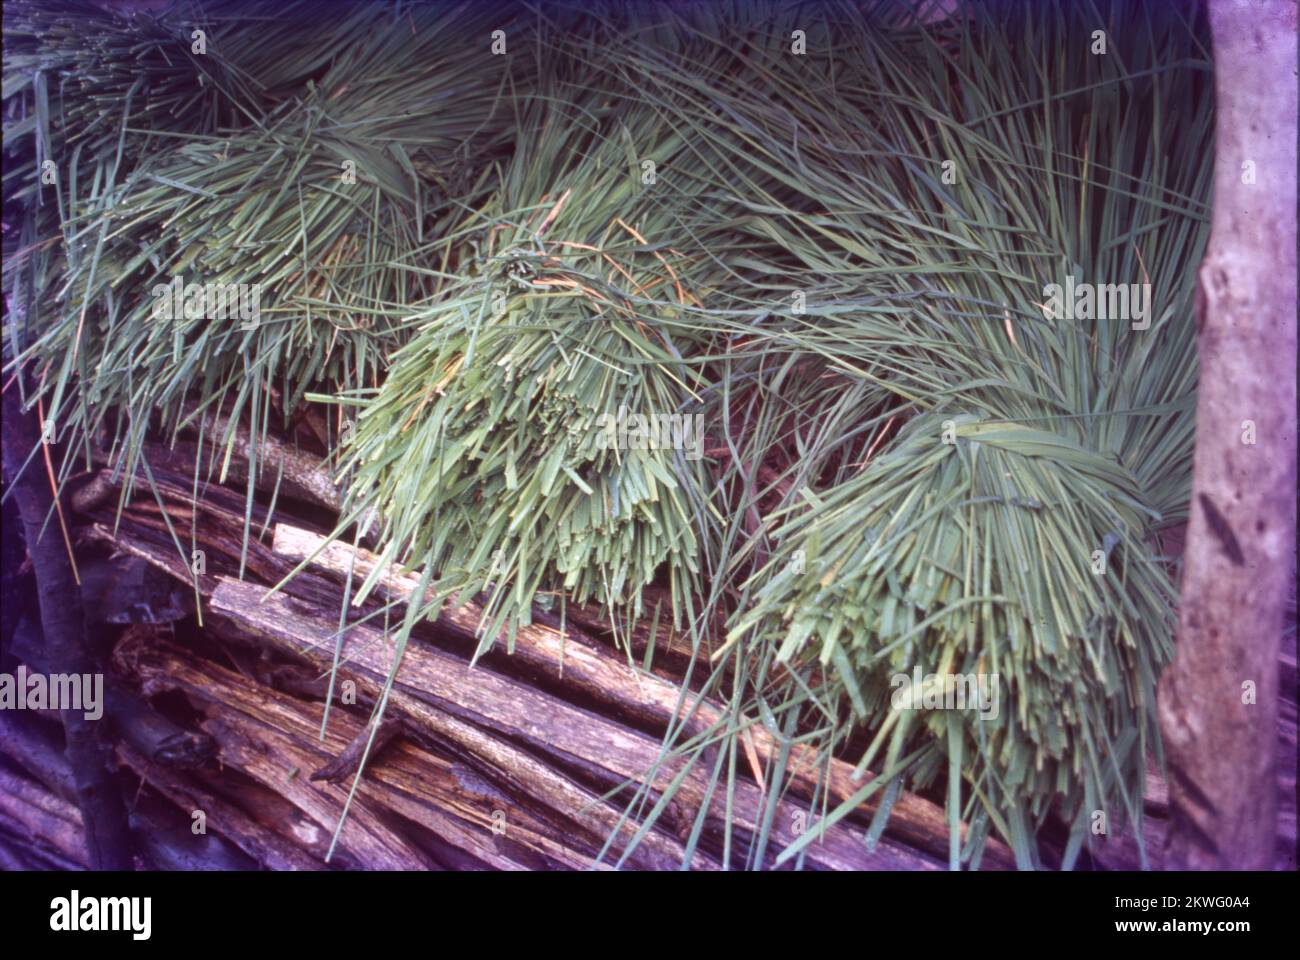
x: 999, y: 518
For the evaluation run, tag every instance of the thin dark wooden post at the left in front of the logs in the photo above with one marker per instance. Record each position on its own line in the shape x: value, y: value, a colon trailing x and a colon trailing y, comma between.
x: 63, y: 621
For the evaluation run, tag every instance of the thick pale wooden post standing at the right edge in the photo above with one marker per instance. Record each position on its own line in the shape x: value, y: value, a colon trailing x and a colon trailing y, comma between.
x: 1219, y: 700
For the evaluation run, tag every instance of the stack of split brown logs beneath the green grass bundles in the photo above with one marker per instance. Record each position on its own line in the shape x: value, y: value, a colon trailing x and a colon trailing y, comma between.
x: 525, y: 760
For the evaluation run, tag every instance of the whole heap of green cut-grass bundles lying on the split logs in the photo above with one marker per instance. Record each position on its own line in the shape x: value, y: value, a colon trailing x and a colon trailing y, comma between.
x: 831, y: 249
